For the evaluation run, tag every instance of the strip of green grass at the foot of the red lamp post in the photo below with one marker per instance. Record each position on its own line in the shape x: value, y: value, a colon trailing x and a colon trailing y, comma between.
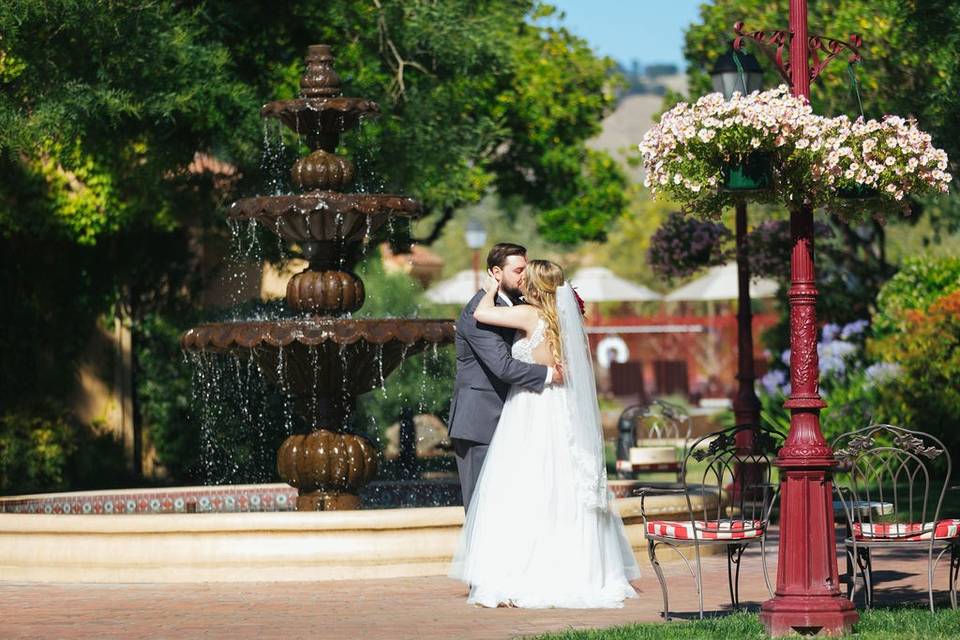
x: 878, y: 623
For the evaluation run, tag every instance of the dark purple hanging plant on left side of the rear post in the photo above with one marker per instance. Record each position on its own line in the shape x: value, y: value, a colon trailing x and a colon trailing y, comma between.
x: 682, y: 246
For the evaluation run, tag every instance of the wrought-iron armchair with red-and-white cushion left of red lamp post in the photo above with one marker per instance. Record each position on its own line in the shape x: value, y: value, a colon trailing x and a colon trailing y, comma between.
x: 739, y: 518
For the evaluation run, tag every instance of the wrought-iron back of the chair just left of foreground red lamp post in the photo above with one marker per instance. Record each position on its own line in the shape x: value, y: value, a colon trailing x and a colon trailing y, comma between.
x: 750, y: 501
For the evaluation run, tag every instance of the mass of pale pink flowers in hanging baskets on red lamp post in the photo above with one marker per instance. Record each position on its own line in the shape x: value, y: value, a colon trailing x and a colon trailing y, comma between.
x: 815, y: 160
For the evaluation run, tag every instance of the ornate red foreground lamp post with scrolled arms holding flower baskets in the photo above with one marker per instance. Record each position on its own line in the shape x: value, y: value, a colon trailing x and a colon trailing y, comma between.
x: 807, y: 596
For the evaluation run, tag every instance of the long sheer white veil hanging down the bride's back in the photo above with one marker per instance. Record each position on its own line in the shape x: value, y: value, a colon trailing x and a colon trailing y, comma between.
x: 585, y: 432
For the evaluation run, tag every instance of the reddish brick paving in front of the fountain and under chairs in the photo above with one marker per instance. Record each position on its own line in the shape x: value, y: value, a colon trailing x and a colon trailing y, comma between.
x: 415, y: 608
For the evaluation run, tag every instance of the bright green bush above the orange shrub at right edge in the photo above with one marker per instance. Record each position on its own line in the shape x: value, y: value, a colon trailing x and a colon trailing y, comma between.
x: 919, y: 282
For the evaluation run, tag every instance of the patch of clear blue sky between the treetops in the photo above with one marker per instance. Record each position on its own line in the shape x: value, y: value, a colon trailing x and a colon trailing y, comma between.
x: 647, y: 30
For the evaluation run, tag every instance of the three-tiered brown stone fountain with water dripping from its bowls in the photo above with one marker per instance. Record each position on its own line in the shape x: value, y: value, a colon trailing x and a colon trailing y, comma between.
x: 324, y: 360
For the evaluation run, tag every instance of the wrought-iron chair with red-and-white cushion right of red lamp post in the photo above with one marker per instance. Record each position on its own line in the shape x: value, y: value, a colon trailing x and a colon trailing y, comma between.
x: 890, y: 501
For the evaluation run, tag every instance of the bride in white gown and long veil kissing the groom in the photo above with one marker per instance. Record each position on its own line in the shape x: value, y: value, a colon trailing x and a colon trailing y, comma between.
x: 540, y: 530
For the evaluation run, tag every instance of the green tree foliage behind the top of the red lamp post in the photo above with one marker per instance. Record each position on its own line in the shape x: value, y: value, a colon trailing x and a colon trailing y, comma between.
x: 909, y: 63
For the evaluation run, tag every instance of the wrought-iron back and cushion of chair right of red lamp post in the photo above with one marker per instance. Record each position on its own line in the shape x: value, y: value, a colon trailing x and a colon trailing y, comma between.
x: 891, y: 491
